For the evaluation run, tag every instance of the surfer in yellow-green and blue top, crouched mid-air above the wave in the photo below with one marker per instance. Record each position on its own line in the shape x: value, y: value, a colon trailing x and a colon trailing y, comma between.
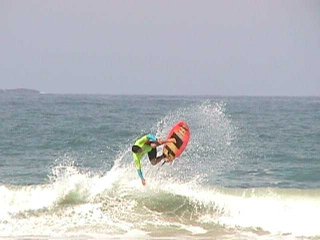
x: 147, y: 144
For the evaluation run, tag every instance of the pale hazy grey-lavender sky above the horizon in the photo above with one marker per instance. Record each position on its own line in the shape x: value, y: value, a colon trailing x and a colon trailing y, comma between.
x: 161, y: 47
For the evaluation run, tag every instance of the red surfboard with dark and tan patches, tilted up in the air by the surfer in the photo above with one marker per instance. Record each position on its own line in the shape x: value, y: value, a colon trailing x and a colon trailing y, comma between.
x: 181, y: 132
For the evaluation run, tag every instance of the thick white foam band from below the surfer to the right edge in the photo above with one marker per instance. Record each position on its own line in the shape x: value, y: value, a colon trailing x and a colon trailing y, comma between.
x: 288, y: 212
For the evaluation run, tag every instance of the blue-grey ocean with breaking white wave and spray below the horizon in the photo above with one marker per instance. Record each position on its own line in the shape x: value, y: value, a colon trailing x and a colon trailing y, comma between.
x: 250, y: 171
